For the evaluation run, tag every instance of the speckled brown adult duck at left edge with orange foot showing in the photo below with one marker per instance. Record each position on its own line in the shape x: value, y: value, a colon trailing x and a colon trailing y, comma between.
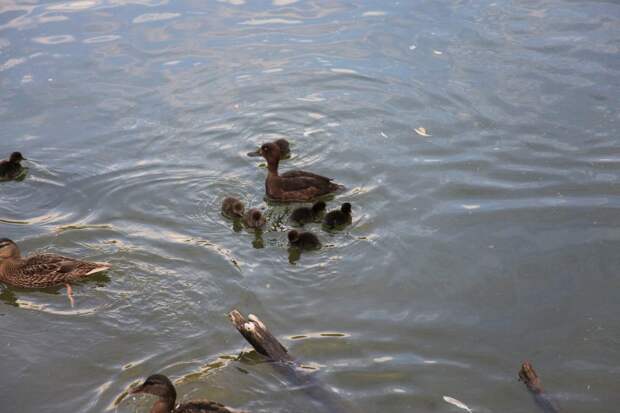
x: 43, y: 270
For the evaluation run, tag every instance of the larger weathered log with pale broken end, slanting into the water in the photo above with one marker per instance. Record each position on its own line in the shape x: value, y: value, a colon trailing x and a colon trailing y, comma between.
x: 261, y: 339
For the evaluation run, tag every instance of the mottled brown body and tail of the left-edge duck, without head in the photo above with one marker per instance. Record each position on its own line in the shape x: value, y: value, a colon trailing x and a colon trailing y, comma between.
x: 48, y: 270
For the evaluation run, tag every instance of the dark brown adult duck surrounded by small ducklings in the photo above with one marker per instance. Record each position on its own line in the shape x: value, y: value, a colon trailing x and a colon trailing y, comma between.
x: 292, y: 186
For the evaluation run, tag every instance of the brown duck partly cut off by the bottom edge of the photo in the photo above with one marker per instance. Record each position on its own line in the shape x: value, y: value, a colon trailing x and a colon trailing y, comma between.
x: 161, y: 386
